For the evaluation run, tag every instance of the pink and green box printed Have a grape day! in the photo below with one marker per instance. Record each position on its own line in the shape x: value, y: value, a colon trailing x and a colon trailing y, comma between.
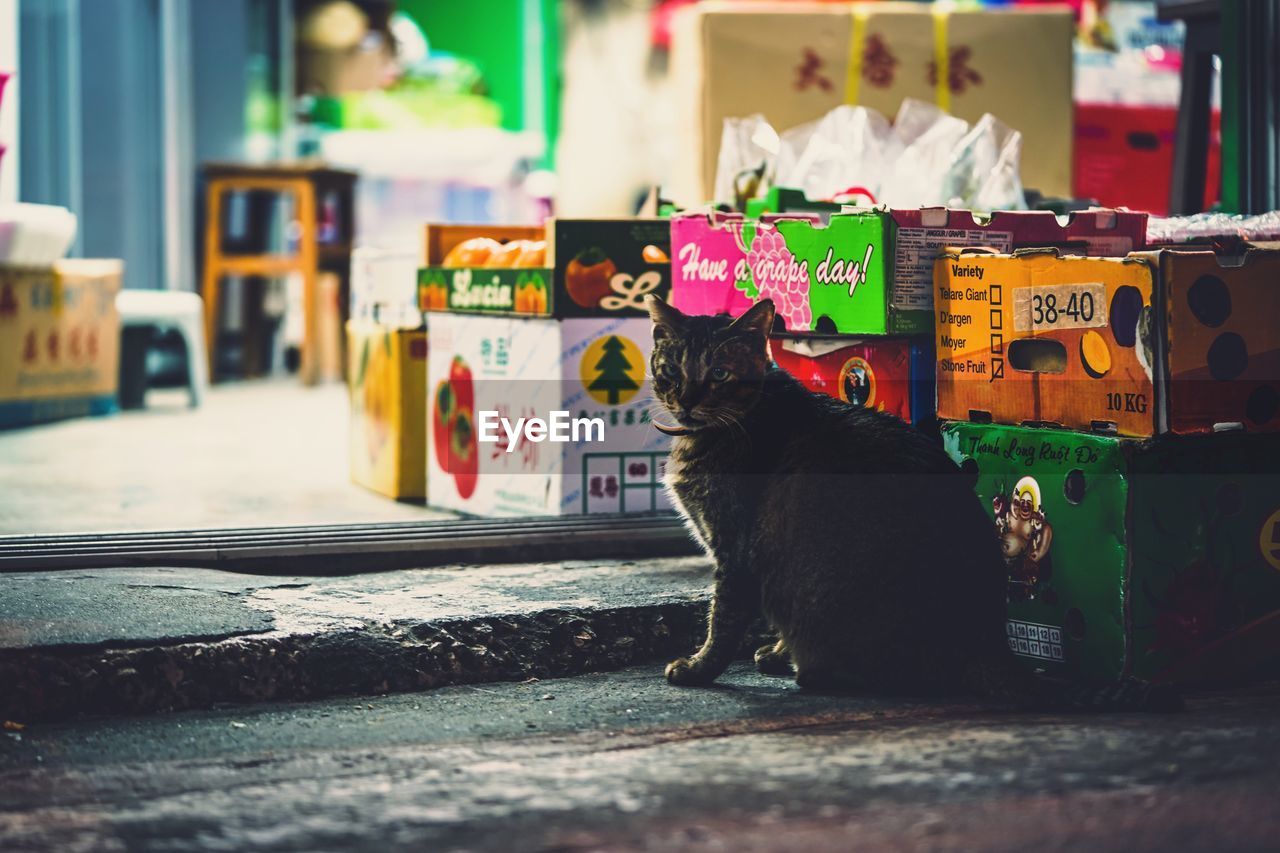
x: 723, y: 263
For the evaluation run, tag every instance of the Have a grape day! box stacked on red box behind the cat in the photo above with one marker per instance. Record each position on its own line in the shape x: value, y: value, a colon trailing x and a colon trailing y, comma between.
x: 854, y: 289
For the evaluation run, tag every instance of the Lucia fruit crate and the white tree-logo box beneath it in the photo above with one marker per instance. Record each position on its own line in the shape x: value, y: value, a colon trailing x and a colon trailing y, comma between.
x: 570, y: 336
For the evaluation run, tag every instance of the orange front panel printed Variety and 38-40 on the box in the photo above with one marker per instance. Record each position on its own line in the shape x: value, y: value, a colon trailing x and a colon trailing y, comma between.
x: 1036, y: 339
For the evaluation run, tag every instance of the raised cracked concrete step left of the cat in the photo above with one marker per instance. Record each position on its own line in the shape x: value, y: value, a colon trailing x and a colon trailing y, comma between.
x: 158, y: 640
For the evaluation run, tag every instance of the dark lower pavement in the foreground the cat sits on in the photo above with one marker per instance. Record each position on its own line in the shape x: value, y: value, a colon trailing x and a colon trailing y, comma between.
x: 624, y: 761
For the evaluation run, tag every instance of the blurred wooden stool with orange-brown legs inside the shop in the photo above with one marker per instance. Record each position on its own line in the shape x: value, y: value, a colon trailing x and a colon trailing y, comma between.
x: 309, y: 185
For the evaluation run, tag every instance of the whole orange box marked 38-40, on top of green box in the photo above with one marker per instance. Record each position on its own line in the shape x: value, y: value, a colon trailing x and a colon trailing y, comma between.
x: 1172, y: 341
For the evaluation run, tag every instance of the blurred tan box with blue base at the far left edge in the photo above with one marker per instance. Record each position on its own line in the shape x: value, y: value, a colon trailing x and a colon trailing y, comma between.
x: 60, y: 341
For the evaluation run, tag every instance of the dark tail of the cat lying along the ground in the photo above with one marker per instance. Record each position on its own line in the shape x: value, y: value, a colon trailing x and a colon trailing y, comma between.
x: 1005, y: 681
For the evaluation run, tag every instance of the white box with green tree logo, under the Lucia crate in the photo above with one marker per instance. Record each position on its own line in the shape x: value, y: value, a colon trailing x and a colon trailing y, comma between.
x: 488, y: 368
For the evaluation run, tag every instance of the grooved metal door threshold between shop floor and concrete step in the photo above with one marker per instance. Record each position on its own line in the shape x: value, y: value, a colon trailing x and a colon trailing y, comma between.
x: 356, y: 548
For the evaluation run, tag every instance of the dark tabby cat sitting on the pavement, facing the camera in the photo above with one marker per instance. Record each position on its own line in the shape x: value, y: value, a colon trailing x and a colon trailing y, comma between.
x: 854, y: 536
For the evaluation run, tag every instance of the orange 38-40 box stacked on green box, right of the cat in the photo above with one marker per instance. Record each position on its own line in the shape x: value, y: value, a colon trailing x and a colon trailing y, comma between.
x: 1121, y: 416
